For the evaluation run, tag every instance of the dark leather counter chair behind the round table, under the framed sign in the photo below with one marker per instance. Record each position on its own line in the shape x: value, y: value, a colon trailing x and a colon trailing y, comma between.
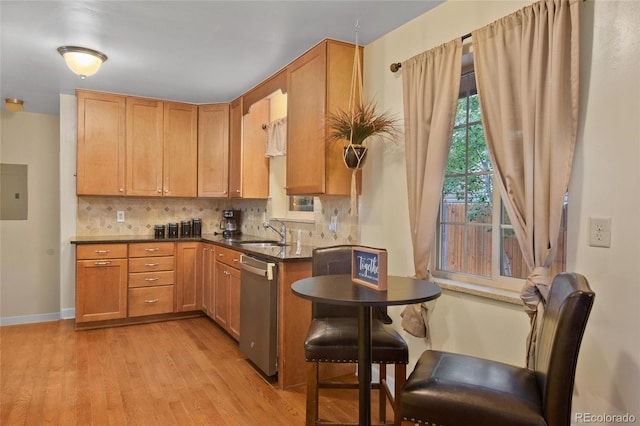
x: 333, y: 338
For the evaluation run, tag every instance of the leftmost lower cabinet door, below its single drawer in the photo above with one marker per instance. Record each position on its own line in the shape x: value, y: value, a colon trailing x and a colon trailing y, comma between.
x: 101, y: 290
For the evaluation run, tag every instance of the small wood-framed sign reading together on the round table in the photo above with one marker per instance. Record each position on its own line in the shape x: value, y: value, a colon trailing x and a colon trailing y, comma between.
x: 369, y: 267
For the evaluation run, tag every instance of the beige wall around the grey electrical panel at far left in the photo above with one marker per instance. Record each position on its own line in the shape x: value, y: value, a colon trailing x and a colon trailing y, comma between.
x: 29, y: 285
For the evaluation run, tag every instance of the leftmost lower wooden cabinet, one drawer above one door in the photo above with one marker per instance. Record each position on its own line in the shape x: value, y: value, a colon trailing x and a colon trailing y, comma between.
x: 101, y: 282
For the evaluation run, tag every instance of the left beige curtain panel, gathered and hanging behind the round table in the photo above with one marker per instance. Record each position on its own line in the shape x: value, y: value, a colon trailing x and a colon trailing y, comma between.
x: 431, y: 85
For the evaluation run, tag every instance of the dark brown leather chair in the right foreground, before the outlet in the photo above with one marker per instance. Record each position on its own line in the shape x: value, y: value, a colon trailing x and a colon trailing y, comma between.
x: 450, y: 389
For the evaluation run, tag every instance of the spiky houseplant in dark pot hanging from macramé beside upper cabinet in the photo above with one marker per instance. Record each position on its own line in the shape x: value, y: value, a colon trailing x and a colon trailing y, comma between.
x: 356, y: 127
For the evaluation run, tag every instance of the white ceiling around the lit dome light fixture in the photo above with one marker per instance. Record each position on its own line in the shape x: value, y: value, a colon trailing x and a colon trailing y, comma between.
x: 188, y: 51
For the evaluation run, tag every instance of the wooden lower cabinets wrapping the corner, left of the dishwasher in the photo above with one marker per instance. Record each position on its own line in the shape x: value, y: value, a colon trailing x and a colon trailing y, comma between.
x: 121, y: 281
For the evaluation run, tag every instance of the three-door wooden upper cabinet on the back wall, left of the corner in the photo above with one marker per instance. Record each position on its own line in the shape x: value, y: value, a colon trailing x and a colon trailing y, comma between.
x: 136, y: 146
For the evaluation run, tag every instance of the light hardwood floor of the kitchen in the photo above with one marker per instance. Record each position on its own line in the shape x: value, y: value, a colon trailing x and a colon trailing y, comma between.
x: 184, y: 372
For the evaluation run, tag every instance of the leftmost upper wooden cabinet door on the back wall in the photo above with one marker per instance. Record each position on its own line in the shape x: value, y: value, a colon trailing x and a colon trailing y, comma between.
x: 101, y: 144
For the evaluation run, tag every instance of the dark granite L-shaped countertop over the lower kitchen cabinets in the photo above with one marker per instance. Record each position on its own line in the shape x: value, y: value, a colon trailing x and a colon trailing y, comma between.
x: 275, y: 253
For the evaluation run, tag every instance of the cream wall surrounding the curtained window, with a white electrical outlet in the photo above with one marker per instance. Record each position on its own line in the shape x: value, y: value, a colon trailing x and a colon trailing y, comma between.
x: 605, y: 182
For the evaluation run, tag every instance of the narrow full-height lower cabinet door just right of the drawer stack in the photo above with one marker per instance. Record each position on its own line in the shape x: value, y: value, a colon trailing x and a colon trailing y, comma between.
x: 188, y: 277
